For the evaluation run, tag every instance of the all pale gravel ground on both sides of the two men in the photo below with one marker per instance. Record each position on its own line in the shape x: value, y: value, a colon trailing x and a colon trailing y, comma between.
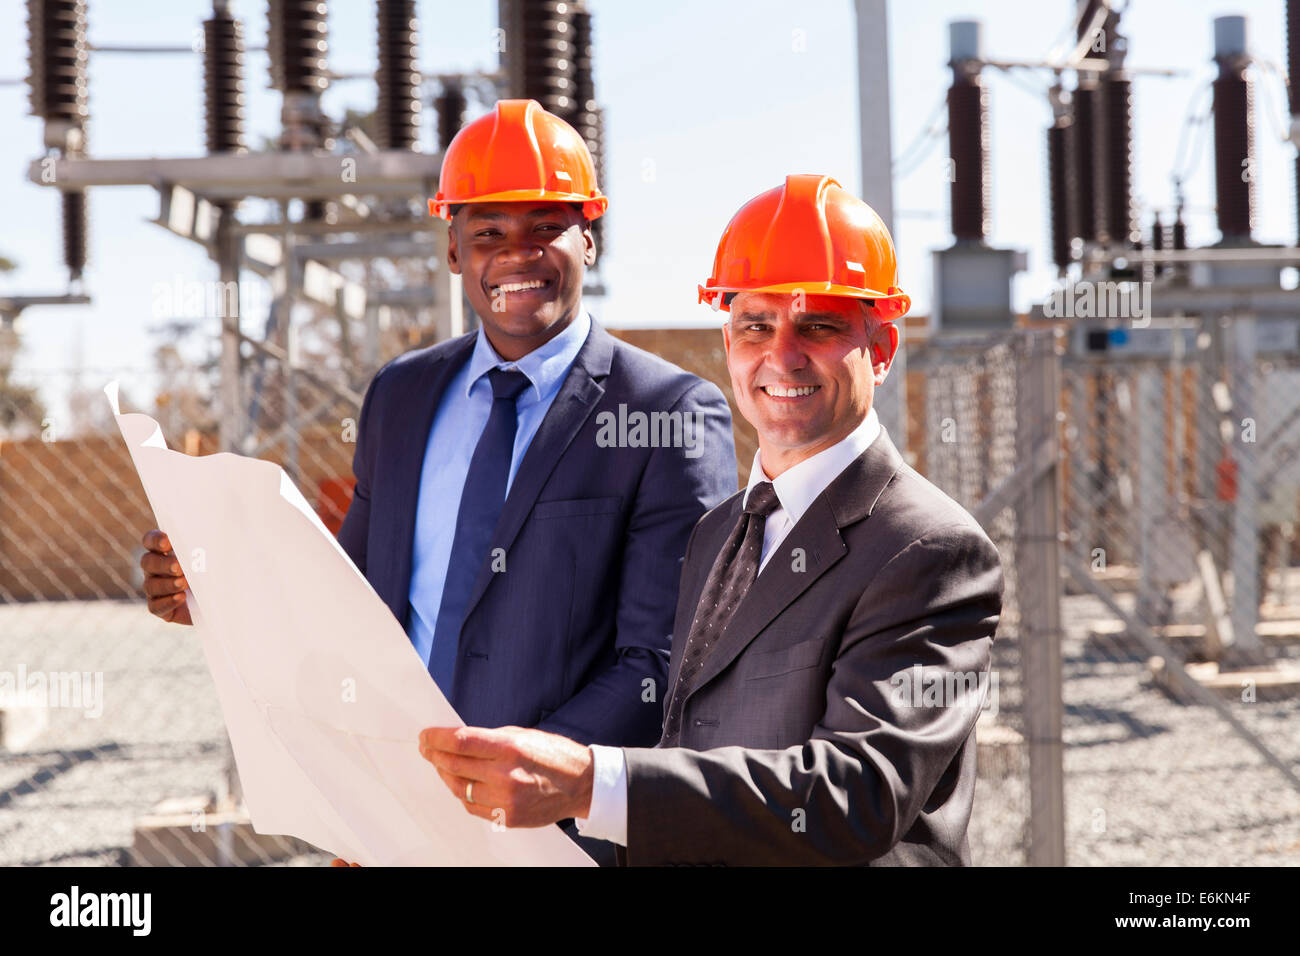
x: 1149, y: 781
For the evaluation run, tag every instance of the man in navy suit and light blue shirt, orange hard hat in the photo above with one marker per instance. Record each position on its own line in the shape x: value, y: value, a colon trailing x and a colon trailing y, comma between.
x: 525, y: 494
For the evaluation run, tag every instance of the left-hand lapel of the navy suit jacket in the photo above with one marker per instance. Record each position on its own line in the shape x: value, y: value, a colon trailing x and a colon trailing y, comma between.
x: 421, y: 395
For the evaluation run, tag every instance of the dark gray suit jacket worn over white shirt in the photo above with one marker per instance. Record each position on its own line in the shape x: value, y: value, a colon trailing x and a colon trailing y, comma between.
x: 803, y: 741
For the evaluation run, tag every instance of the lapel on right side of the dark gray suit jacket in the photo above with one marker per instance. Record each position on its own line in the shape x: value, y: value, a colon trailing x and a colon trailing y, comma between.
x: 847, y: 500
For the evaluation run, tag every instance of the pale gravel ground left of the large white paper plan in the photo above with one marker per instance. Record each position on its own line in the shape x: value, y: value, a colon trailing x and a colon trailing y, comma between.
x: 73, y: 794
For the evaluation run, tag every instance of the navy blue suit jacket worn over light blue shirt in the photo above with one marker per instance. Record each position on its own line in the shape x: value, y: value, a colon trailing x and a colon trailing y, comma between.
x: 574, y: 635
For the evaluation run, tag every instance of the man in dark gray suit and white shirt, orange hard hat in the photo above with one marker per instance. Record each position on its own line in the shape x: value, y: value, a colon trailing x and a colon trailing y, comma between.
x: 835, y: 620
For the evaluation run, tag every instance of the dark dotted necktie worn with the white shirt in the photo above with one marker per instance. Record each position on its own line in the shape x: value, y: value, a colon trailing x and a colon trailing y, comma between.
x: 729, y: 581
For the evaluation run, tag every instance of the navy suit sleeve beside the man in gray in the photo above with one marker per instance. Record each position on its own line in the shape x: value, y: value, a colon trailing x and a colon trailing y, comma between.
x: 677, y: 488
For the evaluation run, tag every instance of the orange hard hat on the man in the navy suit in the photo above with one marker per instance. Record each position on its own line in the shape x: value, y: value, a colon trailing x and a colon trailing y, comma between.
x: 518, y: 153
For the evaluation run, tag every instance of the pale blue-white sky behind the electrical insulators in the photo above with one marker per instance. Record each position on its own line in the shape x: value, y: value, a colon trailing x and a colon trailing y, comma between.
x: 716, y: 98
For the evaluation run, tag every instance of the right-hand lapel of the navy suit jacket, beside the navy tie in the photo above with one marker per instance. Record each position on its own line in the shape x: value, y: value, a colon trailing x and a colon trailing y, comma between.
x: 574, y: 404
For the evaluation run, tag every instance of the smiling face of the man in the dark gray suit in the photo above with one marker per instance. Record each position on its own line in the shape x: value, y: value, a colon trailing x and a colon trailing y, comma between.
x: 805, y: 379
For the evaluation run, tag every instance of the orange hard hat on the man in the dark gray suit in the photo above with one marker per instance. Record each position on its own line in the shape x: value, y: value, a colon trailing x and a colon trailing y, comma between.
x: 808, y: 236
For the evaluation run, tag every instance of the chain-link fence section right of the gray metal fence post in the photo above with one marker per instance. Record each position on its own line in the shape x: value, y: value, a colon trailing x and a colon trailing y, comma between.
x: 1181, y: 487
